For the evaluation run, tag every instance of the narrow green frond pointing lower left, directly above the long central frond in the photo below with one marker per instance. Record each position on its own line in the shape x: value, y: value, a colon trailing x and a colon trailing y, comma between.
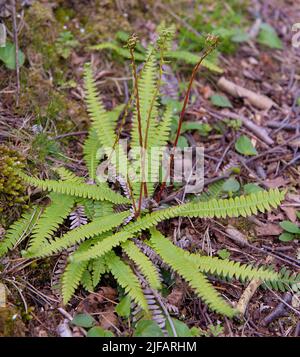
x: 79, y: 234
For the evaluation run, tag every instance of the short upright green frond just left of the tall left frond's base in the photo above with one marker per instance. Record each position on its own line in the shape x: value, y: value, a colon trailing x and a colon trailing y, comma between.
x: 90, y: 149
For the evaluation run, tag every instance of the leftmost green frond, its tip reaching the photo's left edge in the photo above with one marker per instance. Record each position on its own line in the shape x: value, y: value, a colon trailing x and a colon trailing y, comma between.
x: 19, y: 230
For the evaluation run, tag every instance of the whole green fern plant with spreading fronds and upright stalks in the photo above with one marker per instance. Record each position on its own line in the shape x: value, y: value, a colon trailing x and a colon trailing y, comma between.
x: 117, y: 221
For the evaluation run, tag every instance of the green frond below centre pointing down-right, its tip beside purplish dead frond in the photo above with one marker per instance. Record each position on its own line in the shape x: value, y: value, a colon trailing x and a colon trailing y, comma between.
x: 126, y: 279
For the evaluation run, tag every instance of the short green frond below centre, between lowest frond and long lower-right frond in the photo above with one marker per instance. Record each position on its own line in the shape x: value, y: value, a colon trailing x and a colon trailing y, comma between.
x: 143, y: 263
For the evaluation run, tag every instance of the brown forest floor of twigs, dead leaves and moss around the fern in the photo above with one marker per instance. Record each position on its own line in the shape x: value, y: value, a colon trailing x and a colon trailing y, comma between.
x: 43, y: 118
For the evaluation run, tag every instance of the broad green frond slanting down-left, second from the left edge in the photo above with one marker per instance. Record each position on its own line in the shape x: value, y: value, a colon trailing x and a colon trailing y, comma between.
x: 52, y: 217
